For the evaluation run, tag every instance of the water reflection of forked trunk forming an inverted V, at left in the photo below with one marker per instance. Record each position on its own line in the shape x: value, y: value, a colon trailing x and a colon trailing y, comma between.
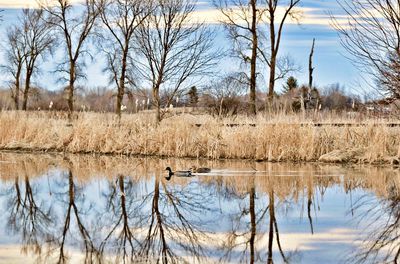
x: 72, y: 211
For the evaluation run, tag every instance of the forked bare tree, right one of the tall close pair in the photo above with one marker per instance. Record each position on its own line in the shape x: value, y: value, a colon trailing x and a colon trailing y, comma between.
x: 275, y: 36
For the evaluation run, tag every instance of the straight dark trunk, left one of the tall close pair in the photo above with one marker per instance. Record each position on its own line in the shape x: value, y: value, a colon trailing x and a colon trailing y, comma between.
x: 253, y: 73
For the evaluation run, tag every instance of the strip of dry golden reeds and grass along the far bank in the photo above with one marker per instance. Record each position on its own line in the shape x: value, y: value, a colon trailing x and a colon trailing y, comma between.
x: 278, y: 138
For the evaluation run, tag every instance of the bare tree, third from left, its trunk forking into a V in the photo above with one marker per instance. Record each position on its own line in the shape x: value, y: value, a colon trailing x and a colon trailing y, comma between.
x: 75, y: 27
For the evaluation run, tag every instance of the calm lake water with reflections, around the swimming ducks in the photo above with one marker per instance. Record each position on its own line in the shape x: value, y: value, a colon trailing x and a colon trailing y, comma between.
x: 73, y: 209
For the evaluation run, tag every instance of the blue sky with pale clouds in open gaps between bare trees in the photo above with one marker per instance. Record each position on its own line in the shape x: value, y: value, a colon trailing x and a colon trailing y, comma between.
x: 331, y: 65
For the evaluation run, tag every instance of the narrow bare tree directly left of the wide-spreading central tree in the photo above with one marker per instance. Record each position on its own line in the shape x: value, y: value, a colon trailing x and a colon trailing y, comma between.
x: 121, y: 18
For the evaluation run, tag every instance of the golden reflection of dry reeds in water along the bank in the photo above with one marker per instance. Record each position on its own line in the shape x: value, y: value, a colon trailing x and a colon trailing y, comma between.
x: 287, y: 179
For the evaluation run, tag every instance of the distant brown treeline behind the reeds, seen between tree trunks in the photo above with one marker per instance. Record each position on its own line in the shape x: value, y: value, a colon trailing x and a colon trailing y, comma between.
x: 214, y: 99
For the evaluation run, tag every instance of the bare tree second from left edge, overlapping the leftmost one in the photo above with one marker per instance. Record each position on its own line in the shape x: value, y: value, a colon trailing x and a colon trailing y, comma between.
x: 37, y: 39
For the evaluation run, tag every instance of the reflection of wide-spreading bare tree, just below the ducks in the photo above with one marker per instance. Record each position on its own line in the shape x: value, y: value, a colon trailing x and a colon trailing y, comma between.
x: 174, y: 223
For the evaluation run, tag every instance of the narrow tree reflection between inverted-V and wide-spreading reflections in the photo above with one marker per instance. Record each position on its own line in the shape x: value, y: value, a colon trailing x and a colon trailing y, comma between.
x: 121, y: 204
